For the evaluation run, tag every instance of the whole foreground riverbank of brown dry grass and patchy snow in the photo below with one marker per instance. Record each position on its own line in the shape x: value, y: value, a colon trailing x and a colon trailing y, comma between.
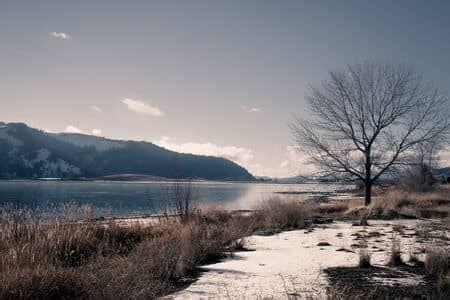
x: 139, y: 258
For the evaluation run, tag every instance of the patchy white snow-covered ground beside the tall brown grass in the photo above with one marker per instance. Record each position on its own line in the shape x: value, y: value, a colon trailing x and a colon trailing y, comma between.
x: 290, y: 264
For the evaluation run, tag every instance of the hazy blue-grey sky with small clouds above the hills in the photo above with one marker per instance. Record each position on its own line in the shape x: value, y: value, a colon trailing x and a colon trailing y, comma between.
x: 212, y: 77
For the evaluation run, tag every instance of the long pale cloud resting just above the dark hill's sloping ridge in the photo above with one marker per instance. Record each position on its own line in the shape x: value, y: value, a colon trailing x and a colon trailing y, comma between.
x: 239, y: 155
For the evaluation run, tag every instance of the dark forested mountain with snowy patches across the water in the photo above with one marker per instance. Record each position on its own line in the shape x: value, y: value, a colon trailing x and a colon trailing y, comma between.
x: 30, y: 153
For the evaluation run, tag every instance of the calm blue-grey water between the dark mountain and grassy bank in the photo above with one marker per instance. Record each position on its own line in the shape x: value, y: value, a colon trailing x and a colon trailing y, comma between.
x: 141, y: 198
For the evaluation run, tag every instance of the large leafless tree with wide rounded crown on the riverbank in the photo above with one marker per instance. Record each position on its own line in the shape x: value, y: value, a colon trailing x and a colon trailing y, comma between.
x: 367, y: 118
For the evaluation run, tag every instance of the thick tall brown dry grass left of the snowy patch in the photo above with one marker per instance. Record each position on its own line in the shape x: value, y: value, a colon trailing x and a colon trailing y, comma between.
x: 92, y: 259
